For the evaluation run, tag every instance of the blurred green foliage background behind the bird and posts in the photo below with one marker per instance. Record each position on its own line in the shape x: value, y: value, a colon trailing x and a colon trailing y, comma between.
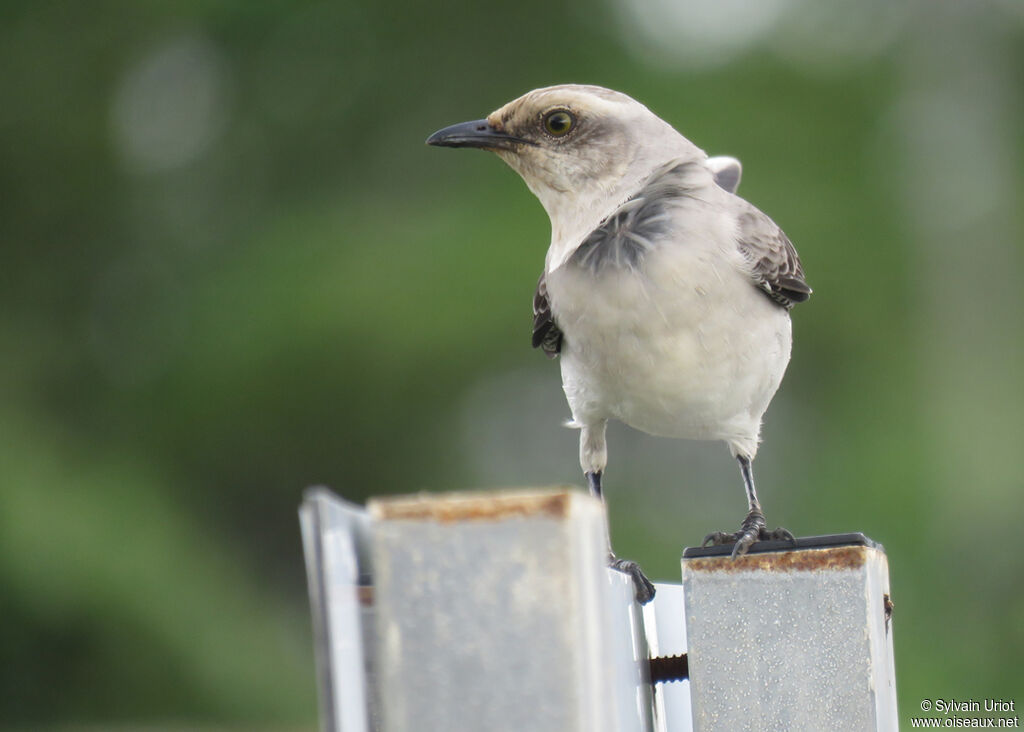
x: 231, y: 269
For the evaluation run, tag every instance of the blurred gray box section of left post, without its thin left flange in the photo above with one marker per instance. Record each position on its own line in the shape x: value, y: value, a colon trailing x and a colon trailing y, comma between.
x: 495, y: 612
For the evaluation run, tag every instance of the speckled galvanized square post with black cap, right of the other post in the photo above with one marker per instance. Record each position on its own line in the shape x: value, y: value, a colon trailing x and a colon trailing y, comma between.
x: 792, y: 638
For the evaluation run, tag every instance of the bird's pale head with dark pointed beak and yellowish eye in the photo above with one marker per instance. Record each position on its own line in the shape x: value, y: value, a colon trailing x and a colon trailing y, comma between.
x: 576, y: 147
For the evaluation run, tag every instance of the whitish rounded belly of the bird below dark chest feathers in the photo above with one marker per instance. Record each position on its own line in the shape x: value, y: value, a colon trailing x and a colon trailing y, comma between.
x: 686, y: 349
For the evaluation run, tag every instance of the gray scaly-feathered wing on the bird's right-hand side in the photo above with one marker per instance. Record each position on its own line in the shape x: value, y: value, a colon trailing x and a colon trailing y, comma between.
x: 775, y: 264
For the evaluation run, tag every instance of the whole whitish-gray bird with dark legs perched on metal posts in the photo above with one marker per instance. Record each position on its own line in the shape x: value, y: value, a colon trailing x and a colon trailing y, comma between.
x: 665, y: 296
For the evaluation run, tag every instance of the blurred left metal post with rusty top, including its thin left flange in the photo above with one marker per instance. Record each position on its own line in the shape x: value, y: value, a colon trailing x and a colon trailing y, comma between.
x: 474, y: 612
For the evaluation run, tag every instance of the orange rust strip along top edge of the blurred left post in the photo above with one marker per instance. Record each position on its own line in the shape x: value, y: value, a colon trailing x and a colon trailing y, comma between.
x: 450, y: 508
